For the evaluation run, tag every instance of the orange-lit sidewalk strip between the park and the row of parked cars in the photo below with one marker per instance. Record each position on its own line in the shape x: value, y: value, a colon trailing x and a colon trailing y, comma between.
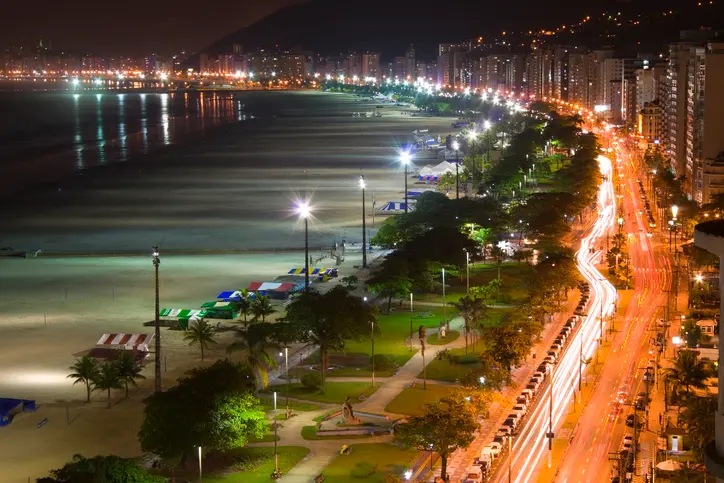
x: 500, y: 408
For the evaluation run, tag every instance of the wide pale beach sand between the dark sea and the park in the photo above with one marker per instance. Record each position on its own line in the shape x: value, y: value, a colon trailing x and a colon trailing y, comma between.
x: 204, y: 205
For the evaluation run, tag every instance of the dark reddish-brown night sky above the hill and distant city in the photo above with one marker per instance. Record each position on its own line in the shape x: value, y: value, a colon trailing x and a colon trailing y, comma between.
x: 132, y: 27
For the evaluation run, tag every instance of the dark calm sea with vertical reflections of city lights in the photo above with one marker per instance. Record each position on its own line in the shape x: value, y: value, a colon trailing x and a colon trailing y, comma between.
x: 46, y: 136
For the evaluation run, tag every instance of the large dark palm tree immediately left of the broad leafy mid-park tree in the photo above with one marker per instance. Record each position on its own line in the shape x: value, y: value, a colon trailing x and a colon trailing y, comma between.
x: 256, y: 343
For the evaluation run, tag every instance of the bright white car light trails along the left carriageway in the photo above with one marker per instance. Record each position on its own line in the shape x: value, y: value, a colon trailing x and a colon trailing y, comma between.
x: 531, y: 444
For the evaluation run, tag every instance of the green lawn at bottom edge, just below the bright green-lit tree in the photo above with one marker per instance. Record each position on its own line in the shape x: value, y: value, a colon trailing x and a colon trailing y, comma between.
x: 245, y: 465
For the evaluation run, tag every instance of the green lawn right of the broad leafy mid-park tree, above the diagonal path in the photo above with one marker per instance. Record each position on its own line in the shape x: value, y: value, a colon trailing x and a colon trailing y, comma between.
x: 394, y: 330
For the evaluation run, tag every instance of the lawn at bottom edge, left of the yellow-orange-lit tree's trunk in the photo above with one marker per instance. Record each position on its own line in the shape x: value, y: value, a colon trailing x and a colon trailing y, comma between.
x: 369, y: 463
